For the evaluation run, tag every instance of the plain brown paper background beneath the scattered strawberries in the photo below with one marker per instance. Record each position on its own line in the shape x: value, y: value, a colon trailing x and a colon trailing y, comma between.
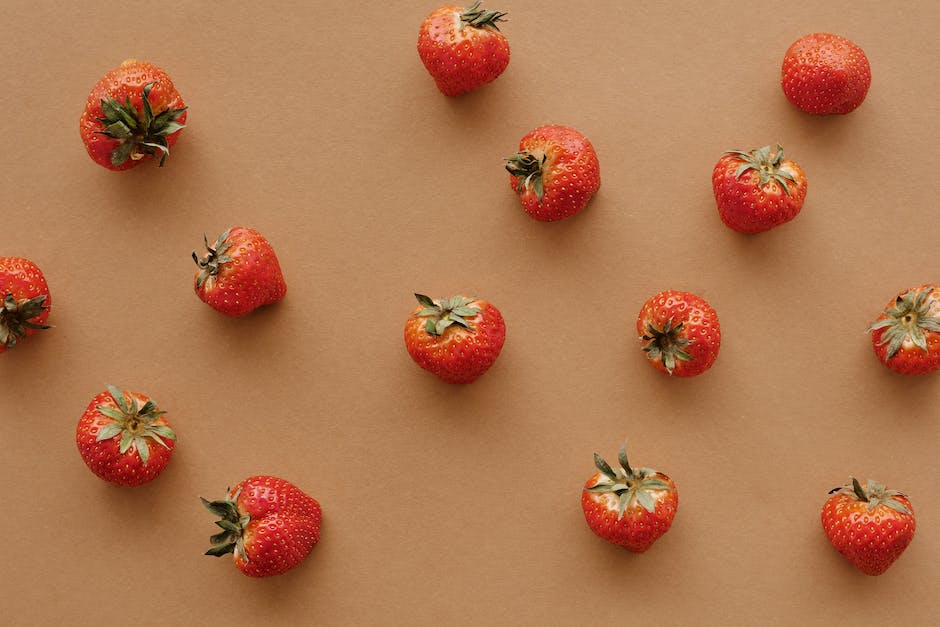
x: 316, y: 123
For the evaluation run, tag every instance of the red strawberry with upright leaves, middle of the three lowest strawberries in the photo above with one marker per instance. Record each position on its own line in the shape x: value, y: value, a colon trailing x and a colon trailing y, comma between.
x: 629, y: 507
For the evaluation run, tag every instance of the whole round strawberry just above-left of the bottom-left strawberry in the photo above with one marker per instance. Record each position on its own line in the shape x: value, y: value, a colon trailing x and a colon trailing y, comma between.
x: 124, y: 438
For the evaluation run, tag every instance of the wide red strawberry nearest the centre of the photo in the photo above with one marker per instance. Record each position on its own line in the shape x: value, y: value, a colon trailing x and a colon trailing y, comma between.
x: 456, y: 338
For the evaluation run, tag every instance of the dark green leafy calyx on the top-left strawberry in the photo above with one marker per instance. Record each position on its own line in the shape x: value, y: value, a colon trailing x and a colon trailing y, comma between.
x: 138, y: 133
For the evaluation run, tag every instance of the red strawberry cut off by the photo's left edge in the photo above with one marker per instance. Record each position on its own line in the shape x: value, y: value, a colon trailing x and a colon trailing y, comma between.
x: 26, y: 300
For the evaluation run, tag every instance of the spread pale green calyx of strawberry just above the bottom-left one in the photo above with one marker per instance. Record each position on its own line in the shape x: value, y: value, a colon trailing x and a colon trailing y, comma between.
x: 134, y: 424
